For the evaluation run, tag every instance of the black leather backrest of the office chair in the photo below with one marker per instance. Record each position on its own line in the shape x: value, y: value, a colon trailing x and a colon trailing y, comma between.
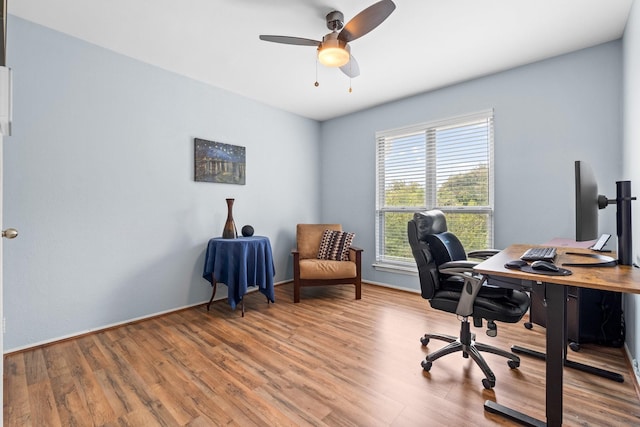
x: 432, y: 245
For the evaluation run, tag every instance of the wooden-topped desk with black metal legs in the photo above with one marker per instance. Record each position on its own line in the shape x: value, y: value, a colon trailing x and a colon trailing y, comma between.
x: 621, y: 278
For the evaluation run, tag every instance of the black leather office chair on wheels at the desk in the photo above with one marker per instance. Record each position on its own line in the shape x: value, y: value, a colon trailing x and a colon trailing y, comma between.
x: 448, y: 281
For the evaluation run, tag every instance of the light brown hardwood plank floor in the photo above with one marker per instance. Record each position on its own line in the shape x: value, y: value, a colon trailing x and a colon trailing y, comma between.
x: 329, y: 360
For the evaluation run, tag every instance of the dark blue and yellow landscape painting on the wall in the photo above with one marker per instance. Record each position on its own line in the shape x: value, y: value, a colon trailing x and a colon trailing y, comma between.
x: 218, y: 162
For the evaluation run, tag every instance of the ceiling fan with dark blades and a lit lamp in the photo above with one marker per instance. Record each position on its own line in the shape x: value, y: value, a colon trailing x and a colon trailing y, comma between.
x: 334, y: 49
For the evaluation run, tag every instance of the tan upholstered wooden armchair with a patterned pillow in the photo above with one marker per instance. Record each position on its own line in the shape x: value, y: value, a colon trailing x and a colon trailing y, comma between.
x: 324, y: 256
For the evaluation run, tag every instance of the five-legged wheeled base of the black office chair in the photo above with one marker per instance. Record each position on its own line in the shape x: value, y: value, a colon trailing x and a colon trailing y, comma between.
x: 469, y: 347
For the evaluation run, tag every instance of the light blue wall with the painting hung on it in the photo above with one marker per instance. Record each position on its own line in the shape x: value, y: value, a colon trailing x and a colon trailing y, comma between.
x: 98, y: 179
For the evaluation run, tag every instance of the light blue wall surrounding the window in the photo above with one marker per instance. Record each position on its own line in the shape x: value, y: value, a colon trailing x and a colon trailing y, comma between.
x: 547, y: 115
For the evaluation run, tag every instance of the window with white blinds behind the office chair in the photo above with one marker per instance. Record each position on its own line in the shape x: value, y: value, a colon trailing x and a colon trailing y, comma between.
x: 446, y: 165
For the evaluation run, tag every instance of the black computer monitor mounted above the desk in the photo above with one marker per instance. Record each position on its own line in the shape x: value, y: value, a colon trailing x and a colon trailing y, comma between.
x: 586, y: 202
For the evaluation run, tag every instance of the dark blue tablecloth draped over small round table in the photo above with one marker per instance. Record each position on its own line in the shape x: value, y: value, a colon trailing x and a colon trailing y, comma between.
x: 240, y: 263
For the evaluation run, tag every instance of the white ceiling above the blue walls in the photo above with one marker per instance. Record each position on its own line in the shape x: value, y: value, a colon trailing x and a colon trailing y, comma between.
x: 423, y: 45
